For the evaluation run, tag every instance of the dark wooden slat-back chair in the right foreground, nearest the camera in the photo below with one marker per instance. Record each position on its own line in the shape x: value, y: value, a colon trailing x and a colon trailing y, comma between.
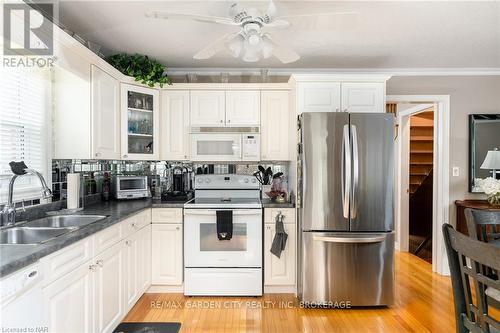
x: 466, y: 256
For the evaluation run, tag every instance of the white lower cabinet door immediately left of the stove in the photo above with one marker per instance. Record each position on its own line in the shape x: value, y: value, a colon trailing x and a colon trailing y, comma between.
x: 167, y: 263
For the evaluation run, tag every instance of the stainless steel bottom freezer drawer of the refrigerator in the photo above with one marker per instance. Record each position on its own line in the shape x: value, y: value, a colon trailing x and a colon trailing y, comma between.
x: 347, y: 267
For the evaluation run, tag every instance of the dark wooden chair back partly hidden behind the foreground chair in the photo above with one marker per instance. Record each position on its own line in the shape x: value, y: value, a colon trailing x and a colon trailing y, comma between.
x: 482, y: 225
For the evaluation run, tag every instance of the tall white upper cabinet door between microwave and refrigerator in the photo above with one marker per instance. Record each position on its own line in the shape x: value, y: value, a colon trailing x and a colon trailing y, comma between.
x: 275, y: 127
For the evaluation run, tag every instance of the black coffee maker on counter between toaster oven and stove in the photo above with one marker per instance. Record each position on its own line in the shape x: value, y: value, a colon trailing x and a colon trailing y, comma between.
x: 178, y: 184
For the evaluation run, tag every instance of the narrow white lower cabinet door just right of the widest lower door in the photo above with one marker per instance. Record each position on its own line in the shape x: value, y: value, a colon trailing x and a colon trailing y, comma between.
x: 108, y: 288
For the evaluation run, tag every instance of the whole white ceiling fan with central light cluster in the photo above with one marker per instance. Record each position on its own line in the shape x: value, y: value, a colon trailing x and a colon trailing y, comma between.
x: 253, y: 41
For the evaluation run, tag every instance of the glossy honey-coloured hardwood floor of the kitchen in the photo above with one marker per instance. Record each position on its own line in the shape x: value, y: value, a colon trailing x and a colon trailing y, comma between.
x: 424, y: 303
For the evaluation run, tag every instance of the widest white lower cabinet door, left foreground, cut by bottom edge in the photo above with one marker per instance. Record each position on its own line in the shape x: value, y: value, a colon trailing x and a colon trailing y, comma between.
x: 67, y: 302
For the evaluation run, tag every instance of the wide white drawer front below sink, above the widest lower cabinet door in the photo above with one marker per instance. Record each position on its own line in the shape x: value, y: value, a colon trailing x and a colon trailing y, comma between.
x: 67, y: 259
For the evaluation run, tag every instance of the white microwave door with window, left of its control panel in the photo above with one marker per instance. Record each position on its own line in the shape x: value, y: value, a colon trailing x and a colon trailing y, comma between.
x: 216, y: 147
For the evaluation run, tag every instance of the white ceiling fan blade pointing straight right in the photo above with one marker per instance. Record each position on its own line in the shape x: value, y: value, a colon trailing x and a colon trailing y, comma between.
x: 320, y: 21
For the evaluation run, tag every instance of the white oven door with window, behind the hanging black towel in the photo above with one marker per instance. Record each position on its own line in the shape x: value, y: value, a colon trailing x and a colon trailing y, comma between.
x: 202, y: 248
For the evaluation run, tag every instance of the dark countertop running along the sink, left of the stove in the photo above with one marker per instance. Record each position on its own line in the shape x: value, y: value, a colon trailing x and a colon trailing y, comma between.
x: 16, y: 256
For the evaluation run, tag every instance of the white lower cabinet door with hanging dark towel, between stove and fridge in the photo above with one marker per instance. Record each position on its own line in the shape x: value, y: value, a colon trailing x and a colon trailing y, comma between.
x: 279, y: 271
